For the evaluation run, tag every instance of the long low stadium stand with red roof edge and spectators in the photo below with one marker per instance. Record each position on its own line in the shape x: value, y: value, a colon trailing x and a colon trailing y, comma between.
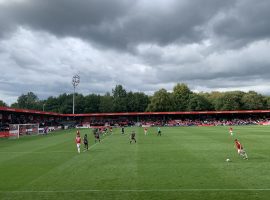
x: 203, y: 118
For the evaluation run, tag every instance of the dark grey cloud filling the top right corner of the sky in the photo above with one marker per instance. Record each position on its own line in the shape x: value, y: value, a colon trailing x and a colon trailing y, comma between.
x: 247, y: 21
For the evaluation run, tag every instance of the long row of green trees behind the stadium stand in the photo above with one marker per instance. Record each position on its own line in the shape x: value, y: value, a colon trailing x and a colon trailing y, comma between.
x: 181, y: 98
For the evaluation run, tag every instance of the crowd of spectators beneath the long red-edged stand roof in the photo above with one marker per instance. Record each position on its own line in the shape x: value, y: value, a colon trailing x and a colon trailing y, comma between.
x: 136, y: 121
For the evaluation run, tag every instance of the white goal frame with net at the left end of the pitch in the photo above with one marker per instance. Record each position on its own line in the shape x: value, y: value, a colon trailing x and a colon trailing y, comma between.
x: 17, y: 130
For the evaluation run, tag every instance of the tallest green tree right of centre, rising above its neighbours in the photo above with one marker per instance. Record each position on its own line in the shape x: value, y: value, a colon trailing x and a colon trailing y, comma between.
x: 181, y: 95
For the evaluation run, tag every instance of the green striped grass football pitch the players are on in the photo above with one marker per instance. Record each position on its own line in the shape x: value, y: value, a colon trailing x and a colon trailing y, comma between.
x: 183, y: 163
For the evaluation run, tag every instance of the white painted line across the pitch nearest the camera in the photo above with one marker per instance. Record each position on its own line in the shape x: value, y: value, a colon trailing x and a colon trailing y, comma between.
x: 141, y: 190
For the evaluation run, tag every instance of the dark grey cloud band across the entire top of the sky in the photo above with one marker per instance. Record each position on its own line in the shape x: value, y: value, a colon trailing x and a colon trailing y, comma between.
x: 123, y: 24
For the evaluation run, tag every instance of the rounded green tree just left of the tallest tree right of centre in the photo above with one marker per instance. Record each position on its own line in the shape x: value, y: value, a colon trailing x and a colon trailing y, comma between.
x: 161, y: 101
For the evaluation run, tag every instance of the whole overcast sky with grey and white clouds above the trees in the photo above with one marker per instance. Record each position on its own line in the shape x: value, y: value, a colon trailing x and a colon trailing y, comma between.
x: 142, y: 44
